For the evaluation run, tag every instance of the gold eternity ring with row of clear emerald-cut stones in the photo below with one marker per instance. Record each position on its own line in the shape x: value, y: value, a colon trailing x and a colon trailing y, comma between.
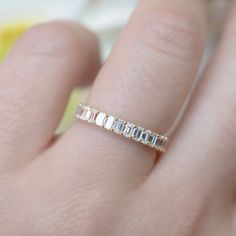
x: 118, y: 126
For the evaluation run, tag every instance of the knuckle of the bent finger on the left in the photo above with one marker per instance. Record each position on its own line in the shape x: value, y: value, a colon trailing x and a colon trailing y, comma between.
x: 55, y: 39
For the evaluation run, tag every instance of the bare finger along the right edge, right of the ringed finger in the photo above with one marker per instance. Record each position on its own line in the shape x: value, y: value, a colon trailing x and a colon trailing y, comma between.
x: 206, y: 140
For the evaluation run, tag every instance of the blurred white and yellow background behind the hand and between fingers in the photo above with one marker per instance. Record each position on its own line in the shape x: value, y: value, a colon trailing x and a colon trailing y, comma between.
x: 105, y: 17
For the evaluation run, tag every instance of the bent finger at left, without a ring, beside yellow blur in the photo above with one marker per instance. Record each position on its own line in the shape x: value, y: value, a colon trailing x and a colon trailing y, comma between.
x: 36, y: 80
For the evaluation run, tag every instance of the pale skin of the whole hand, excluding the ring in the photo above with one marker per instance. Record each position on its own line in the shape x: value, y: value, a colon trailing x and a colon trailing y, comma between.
x: 90, y: 182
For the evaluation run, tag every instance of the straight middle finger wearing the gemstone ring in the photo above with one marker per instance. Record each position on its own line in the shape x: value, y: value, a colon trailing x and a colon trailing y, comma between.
x: 145, y: 81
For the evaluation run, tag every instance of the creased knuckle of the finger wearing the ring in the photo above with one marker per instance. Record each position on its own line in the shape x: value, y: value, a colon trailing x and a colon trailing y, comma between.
x: 170, y: 33
